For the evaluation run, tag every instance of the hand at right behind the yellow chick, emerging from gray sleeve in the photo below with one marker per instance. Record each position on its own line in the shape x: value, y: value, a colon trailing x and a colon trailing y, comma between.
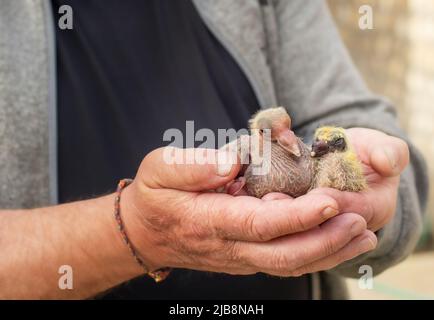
x: 384, y: 158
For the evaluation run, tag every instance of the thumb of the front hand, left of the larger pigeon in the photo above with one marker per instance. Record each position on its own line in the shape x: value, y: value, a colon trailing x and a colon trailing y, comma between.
x: 189, y: 169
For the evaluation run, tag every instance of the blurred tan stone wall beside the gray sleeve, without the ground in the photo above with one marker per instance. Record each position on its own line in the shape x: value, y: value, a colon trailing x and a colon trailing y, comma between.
x: 396, y: 58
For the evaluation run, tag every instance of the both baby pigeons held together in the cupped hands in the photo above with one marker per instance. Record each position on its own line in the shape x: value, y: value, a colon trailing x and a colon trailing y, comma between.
x: 293, y: 167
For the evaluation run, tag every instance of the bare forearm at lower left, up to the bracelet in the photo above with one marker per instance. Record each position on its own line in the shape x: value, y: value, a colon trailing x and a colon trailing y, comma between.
x: 36, y: 243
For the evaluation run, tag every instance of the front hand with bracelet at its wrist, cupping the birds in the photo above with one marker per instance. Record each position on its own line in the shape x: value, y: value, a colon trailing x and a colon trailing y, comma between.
x: 174, y: 220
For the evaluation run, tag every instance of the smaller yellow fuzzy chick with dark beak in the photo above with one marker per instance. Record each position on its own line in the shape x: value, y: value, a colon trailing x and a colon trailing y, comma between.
x: 336, y: 163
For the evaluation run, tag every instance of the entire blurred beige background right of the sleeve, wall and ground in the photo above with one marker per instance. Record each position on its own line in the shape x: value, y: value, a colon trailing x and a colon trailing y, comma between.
x: 396, y: 59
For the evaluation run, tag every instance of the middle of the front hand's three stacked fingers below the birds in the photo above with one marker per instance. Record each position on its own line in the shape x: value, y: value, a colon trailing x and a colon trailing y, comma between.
x: 284, y: 255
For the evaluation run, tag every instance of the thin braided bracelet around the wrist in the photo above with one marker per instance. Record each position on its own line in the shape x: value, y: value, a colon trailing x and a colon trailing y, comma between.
x: 157, y: 275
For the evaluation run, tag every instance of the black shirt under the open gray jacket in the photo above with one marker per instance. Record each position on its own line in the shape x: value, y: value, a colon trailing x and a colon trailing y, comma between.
x: 128, y: 71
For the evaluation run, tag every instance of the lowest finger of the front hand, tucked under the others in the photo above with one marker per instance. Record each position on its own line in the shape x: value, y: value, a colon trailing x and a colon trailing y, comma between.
x: 363, y: 243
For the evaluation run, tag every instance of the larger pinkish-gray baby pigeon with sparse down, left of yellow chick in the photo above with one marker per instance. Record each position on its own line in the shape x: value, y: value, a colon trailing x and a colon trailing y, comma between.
x: 290, y: 167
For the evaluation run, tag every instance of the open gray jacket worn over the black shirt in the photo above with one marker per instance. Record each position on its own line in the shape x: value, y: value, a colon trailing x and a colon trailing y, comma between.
x: 291, y: 54
